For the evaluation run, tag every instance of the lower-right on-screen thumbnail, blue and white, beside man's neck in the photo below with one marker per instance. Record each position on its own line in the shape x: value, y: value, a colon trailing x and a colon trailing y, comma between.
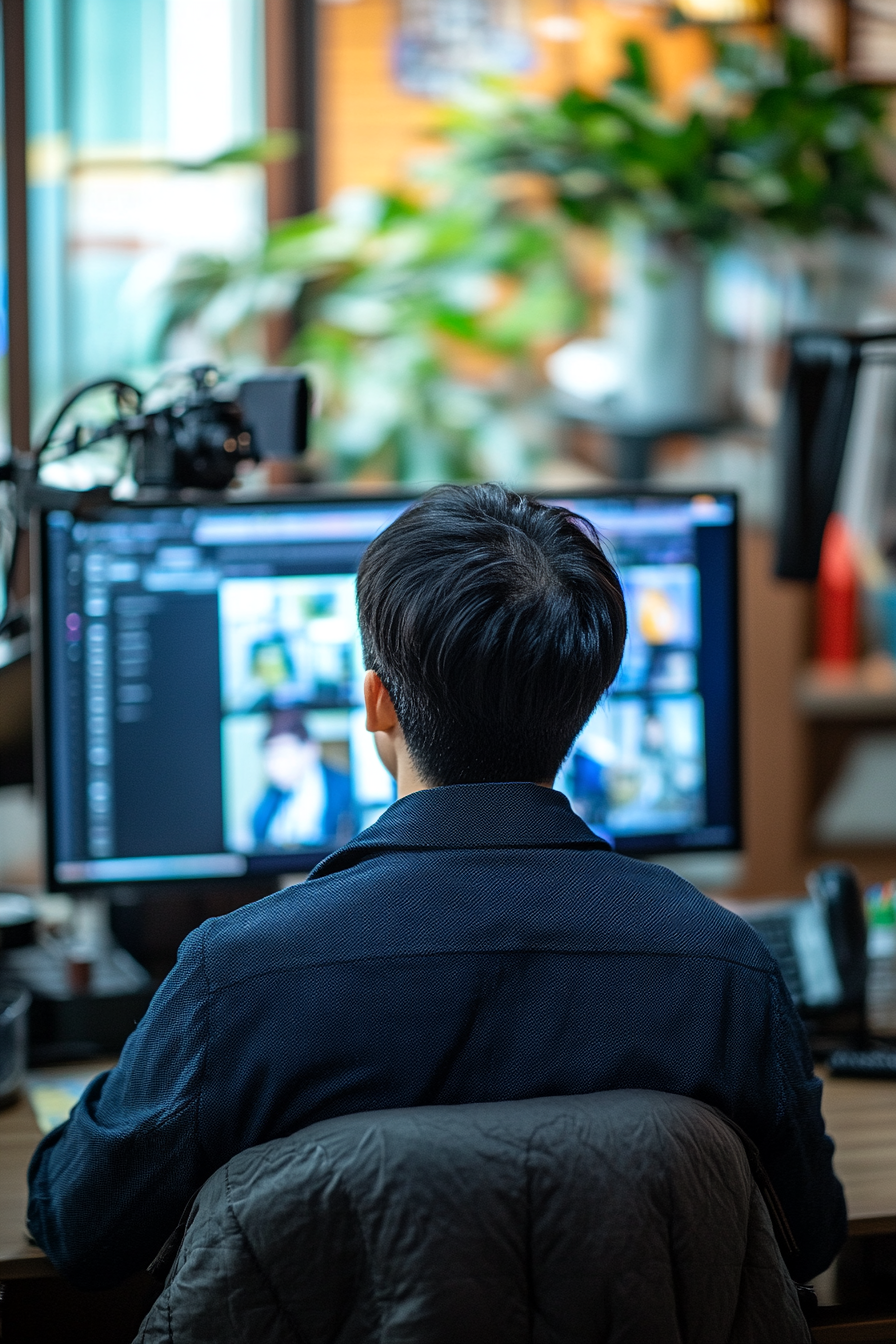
x: 637, y: 767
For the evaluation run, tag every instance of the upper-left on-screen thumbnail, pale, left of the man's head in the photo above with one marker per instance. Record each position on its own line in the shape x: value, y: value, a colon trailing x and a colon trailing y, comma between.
x: 289, y: 640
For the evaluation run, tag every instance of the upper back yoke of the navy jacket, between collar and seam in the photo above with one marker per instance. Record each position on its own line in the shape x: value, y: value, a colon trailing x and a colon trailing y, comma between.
x: 480, y: 902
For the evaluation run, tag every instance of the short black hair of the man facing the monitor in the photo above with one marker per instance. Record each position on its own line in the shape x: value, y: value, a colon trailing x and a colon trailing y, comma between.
x: 496, y: 624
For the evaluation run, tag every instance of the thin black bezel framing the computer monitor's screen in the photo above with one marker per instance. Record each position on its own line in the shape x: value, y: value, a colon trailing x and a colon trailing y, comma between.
x: 93, y: 505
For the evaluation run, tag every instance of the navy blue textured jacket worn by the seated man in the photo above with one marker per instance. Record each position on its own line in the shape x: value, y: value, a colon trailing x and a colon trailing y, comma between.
x: 476, y: 944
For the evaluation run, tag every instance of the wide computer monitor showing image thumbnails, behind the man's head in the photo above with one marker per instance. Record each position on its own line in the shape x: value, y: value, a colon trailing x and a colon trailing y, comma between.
x: 202, y: 677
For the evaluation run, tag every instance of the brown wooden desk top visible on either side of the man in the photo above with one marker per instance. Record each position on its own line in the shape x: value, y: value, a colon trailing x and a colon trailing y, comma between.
x: 860, y: 1116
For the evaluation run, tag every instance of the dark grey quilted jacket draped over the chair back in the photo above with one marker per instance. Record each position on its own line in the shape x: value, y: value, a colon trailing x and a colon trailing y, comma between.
x: 620, y: 1217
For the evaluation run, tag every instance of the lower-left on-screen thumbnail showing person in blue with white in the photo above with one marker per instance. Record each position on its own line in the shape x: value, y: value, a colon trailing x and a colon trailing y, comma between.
x: 300, y: 779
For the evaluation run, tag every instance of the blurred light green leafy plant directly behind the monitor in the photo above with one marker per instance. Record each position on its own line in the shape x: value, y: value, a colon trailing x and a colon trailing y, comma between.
x: 425, y: 325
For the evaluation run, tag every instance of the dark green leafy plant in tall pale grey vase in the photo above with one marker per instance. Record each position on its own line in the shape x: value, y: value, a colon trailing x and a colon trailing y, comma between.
x: 774, y: 146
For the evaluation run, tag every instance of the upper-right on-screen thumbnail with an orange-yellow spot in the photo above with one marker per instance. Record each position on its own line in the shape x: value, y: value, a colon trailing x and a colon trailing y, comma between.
x: 663, y: 603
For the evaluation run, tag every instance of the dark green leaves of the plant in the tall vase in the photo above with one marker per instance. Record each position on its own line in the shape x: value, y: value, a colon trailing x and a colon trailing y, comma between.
x: 773, y: 136
